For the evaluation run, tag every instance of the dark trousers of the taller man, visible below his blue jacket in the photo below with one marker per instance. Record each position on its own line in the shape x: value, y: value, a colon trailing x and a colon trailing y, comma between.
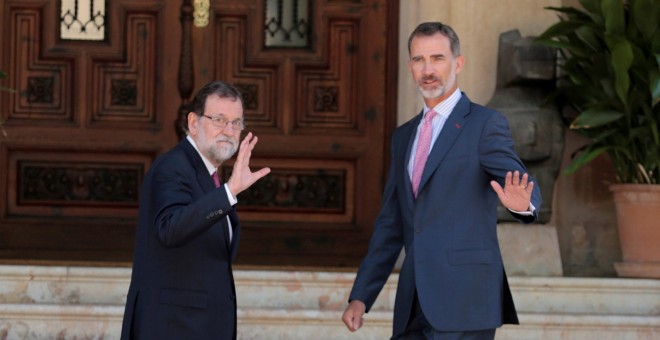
x: 419, y: 328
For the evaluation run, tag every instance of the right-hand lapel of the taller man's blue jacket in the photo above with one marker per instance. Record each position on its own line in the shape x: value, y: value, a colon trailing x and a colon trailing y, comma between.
x: 450, y: 131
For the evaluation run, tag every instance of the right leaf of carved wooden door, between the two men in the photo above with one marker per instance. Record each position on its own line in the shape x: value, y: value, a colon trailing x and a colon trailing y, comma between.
x: 321, y: 117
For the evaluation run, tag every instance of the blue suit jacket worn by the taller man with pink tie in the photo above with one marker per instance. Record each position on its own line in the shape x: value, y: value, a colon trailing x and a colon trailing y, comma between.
x: 450, y: 231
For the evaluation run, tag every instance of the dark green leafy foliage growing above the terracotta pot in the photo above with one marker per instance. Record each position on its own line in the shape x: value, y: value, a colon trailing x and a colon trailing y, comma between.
x: 610, y: 73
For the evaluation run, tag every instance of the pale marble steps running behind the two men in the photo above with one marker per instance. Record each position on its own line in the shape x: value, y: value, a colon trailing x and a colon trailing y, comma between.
x: 38, y: 302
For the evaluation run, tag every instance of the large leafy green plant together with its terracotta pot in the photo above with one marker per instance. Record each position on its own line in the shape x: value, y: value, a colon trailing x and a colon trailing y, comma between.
x: 610, y: 76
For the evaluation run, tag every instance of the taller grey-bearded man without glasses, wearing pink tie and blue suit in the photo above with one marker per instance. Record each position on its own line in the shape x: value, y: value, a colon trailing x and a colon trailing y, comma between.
x: 449, y: 166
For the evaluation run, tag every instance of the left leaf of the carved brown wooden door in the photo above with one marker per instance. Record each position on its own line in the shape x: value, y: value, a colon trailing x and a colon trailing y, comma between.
x: 87, y: 120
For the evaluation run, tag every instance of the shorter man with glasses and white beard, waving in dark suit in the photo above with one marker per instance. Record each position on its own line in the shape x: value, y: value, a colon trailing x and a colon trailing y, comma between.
x: 182, y: 285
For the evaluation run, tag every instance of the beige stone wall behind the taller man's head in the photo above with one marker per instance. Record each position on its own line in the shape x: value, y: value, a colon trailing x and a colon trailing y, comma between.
x: 478, y: 24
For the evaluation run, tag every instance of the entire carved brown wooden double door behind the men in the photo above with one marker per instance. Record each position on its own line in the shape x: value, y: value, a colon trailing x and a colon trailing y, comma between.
x: 89, y: 117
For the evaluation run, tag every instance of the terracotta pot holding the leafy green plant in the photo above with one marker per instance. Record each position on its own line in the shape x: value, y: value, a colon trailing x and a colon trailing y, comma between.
x: 638, y: 218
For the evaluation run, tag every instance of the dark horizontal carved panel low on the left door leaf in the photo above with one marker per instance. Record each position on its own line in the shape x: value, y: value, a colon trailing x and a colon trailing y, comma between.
x: 81, y: 183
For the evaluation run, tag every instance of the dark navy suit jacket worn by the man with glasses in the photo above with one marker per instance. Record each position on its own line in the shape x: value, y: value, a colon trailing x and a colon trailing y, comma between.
x: 182, y: 285
